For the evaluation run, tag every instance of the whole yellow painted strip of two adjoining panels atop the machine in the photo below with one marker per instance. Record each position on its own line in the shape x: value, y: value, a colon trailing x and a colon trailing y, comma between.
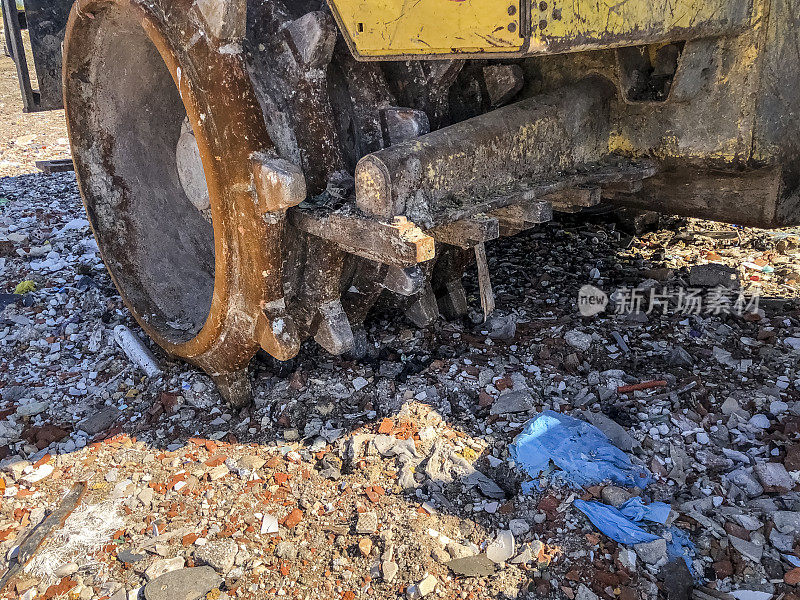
x: 380, y: 29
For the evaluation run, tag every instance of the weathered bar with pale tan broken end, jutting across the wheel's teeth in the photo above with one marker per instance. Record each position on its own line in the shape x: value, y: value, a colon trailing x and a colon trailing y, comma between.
x: 400, y: 243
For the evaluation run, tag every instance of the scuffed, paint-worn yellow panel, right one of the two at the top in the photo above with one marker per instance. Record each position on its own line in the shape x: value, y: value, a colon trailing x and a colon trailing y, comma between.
x: 564, y: 25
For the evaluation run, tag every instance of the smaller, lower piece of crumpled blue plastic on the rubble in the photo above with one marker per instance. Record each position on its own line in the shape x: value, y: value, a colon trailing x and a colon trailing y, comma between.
x: 620, y: 523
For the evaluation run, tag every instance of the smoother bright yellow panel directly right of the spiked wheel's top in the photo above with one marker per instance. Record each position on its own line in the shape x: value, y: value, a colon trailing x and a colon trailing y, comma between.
x: 422, y: 27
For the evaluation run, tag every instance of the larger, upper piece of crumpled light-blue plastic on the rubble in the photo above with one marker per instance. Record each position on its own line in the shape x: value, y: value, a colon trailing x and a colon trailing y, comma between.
x: 582, y: 452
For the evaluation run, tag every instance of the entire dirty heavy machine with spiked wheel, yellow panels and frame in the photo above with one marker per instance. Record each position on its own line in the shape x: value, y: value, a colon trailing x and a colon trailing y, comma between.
x: 259, y: 173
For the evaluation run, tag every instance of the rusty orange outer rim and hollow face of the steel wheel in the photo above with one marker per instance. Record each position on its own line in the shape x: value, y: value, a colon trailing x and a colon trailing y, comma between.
x: 142, y: 83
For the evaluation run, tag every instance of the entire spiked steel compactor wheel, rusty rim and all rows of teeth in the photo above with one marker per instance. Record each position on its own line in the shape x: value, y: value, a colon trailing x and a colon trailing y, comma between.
x: 172, y: 110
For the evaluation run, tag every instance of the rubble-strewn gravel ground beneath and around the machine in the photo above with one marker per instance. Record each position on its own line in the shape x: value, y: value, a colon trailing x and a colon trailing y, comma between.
x: 391, y: 476
